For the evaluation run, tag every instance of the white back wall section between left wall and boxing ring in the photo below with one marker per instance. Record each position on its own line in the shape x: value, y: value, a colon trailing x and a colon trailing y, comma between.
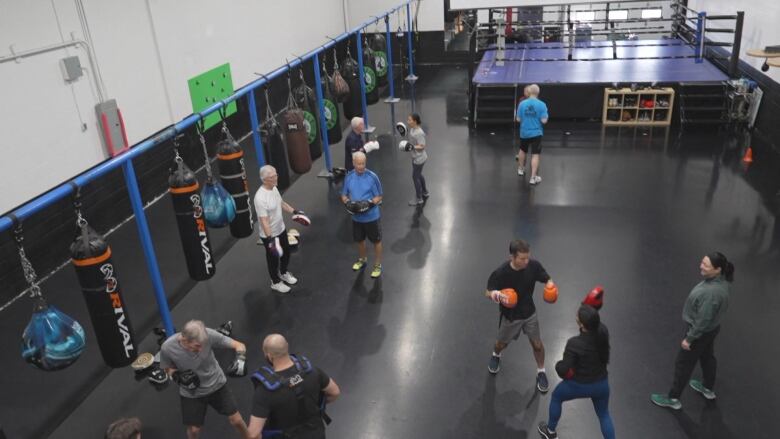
x: 430, y: 16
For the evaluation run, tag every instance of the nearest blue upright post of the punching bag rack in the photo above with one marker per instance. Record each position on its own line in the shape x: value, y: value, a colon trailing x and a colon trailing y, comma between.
x: 146, y: 243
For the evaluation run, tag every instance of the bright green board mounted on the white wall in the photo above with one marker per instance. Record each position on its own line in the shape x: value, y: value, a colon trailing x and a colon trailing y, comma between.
x: 210, y: 87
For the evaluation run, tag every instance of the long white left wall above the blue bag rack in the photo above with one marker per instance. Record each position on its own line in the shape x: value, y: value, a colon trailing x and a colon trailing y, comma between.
x: 41, y: 116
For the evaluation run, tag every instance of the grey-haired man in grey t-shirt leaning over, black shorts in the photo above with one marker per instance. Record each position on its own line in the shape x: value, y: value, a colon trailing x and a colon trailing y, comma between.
x: 188, y: 358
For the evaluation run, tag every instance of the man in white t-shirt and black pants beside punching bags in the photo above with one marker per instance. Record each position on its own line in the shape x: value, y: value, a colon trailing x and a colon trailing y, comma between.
x: 273, y: 234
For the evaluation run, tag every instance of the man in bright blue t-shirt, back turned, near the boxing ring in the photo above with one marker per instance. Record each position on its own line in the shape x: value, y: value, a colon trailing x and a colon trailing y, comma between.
x: 532, y: 114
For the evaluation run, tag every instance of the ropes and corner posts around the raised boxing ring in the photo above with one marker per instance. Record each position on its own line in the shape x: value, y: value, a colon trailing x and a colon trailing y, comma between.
x: 688, y: 25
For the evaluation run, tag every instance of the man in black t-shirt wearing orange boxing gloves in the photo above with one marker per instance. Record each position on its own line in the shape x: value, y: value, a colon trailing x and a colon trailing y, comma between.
x: 521, y: 274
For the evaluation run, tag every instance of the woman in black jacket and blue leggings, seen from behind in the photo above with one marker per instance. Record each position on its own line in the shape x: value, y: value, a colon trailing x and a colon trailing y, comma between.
x: 584, y: 373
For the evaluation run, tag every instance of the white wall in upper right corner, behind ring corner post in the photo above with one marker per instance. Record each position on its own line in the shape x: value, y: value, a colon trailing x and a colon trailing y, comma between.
x: 760, y: 28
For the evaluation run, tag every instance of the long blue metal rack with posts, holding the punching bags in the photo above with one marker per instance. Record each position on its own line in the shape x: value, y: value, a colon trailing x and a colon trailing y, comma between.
x: 125, y: 159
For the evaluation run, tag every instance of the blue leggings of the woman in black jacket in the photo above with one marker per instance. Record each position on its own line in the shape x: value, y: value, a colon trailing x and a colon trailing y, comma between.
x: 598, y: 392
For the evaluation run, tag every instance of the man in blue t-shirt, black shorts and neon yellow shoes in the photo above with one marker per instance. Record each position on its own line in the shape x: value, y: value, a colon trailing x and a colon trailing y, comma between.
x: 362, y: 185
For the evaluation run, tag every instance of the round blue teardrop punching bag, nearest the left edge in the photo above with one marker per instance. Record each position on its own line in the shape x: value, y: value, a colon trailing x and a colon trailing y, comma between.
x: 52, y: 340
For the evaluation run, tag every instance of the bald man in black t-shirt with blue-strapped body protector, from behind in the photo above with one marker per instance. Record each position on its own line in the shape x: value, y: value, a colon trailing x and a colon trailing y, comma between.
x: 288, y: 394
